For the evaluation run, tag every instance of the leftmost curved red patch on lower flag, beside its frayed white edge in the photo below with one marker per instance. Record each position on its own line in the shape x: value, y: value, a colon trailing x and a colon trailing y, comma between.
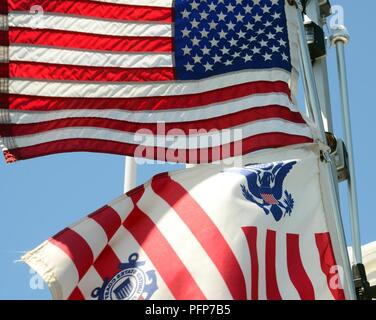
x: 76, y: 248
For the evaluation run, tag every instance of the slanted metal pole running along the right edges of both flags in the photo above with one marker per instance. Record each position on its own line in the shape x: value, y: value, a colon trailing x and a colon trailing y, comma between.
x: 315, y: 103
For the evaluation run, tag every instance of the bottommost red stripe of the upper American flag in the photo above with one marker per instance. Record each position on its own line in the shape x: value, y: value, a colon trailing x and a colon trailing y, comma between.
x: 263, y: 141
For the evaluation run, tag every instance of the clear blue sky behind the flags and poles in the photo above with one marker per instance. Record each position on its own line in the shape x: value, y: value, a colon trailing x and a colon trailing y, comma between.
x: 40, y: 197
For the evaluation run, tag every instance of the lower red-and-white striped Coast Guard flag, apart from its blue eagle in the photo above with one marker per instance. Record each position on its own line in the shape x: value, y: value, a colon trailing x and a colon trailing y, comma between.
x: 192, y: 235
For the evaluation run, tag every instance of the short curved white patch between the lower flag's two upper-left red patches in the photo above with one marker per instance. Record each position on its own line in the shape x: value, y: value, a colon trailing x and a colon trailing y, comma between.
x: 93, y: 234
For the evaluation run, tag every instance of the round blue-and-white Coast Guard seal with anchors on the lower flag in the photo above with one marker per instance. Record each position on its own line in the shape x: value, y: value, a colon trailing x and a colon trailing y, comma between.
x: 130, y: 283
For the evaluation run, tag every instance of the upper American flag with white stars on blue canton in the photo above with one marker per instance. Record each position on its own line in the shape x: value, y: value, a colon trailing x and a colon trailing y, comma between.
x: 83, y: 75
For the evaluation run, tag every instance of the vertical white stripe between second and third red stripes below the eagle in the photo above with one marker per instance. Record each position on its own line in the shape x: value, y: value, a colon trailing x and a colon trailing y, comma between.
x: 285, y: 286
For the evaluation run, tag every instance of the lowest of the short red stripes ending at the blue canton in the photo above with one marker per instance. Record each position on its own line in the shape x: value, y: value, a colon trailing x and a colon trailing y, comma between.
x: 43, y: 71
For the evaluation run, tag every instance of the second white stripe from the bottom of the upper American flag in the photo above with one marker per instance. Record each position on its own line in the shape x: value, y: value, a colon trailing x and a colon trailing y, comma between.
x: 174, y: 115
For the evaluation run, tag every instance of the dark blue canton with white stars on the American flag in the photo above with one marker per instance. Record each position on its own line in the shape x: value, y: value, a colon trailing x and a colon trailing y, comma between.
x: 219, y: 36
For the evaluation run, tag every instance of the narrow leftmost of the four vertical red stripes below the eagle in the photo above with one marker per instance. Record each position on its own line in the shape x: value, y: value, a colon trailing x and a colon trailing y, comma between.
x: 251, y: 235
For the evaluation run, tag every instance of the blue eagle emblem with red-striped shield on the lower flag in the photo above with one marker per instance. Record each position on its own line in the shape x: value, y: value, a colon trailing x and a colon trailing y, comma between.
x: 265, y: 187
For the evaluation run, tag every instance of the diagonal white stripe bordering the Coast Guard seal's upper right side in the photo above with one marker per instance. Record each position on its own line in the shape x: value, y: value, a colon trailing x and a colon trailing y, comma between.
x: 123, y: 244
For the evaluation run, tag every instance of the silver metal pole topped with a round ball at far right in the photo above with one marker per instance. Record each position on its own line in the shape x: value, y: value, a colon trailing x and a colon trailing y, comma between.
x: 340, y: 38
